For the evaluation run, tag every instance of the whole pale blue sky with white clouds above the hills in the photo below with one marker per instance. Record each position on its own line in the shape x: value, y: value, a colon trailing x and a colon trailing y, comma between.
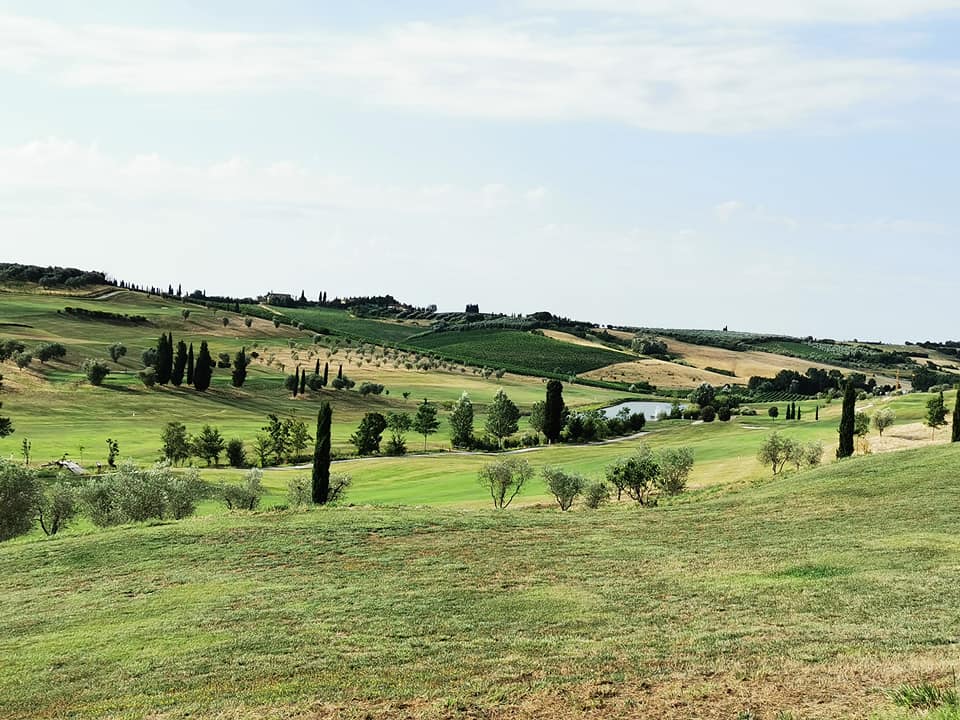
x: 770, y: 166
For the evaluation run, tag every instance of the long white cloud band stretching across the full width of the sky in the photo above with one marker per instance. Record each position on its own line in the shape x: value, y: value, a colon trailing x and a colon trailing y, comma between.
x: 701, y: 81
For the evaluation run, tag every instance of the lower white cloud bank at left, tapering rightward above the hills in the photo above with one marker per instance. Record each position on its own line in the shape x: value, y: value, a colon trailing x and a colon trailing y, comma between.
x: 67, y: 170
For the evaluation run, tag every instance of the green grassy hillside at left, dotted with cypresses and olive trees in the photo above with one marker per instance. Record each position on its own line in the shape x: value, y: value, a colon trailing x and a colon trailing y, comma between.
x: 59, y: 412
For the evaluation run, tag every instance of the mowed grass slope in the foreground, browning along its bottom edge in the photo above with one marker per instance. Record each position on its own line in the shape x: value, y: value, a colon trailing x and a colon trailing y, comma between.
x: 811, y: 595
